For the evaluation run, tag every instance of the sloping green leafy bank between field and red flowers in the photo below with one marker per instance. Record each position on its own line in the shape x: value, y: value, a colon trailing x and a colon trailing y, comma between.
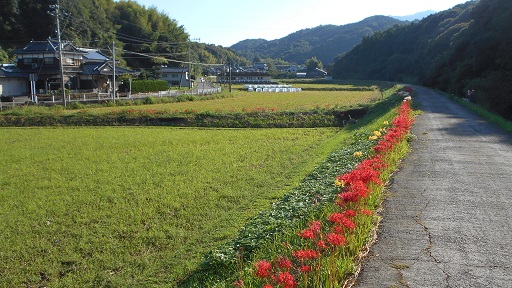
x: 263, y: 236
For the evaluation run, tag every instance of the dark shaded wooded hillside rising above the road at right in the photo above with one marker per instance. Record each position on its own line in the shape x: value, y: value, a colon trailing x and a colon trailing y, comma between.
x: 464, y: 48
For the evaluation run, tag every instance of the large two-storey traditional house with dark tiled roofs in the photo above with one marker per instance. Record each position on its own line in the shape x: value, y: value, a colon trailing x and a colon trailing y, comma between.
x: 85, y: 70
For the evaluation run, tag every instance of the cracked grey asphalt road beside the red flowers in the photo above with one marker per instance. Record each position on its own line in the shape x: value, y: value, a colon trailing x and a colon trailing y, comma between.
x: 448, y: 219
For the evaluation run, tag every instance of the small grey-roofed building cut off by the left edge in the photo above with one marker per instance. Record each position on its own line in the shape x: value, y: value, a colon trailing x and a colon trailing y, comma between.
x: 13, y: 81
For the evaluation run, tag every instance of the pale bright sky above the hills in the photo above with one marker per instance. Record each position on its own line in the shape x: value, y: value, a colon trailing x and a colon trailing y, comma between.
x: 227, y: 22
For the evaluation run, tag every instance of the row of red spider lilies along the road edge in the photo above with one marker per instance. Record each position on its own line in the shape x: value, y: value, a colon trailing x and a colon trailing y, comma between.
x: 332, y: 237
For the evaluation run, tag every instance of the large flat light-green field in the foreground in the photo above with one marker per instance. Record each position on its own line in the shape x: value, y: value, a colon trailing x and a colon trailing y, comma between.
x: 137, y: 207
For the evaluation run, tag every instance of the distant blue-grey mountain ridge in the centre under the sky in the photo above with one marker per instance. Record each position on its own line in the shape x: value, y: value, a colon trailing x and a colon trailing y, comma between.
x: 325, y: 41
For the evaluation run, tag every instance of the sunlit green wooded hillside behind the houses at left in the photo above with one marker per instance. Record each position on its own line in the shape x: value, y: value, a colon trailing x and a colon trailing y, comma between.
x: 143, y: 36
